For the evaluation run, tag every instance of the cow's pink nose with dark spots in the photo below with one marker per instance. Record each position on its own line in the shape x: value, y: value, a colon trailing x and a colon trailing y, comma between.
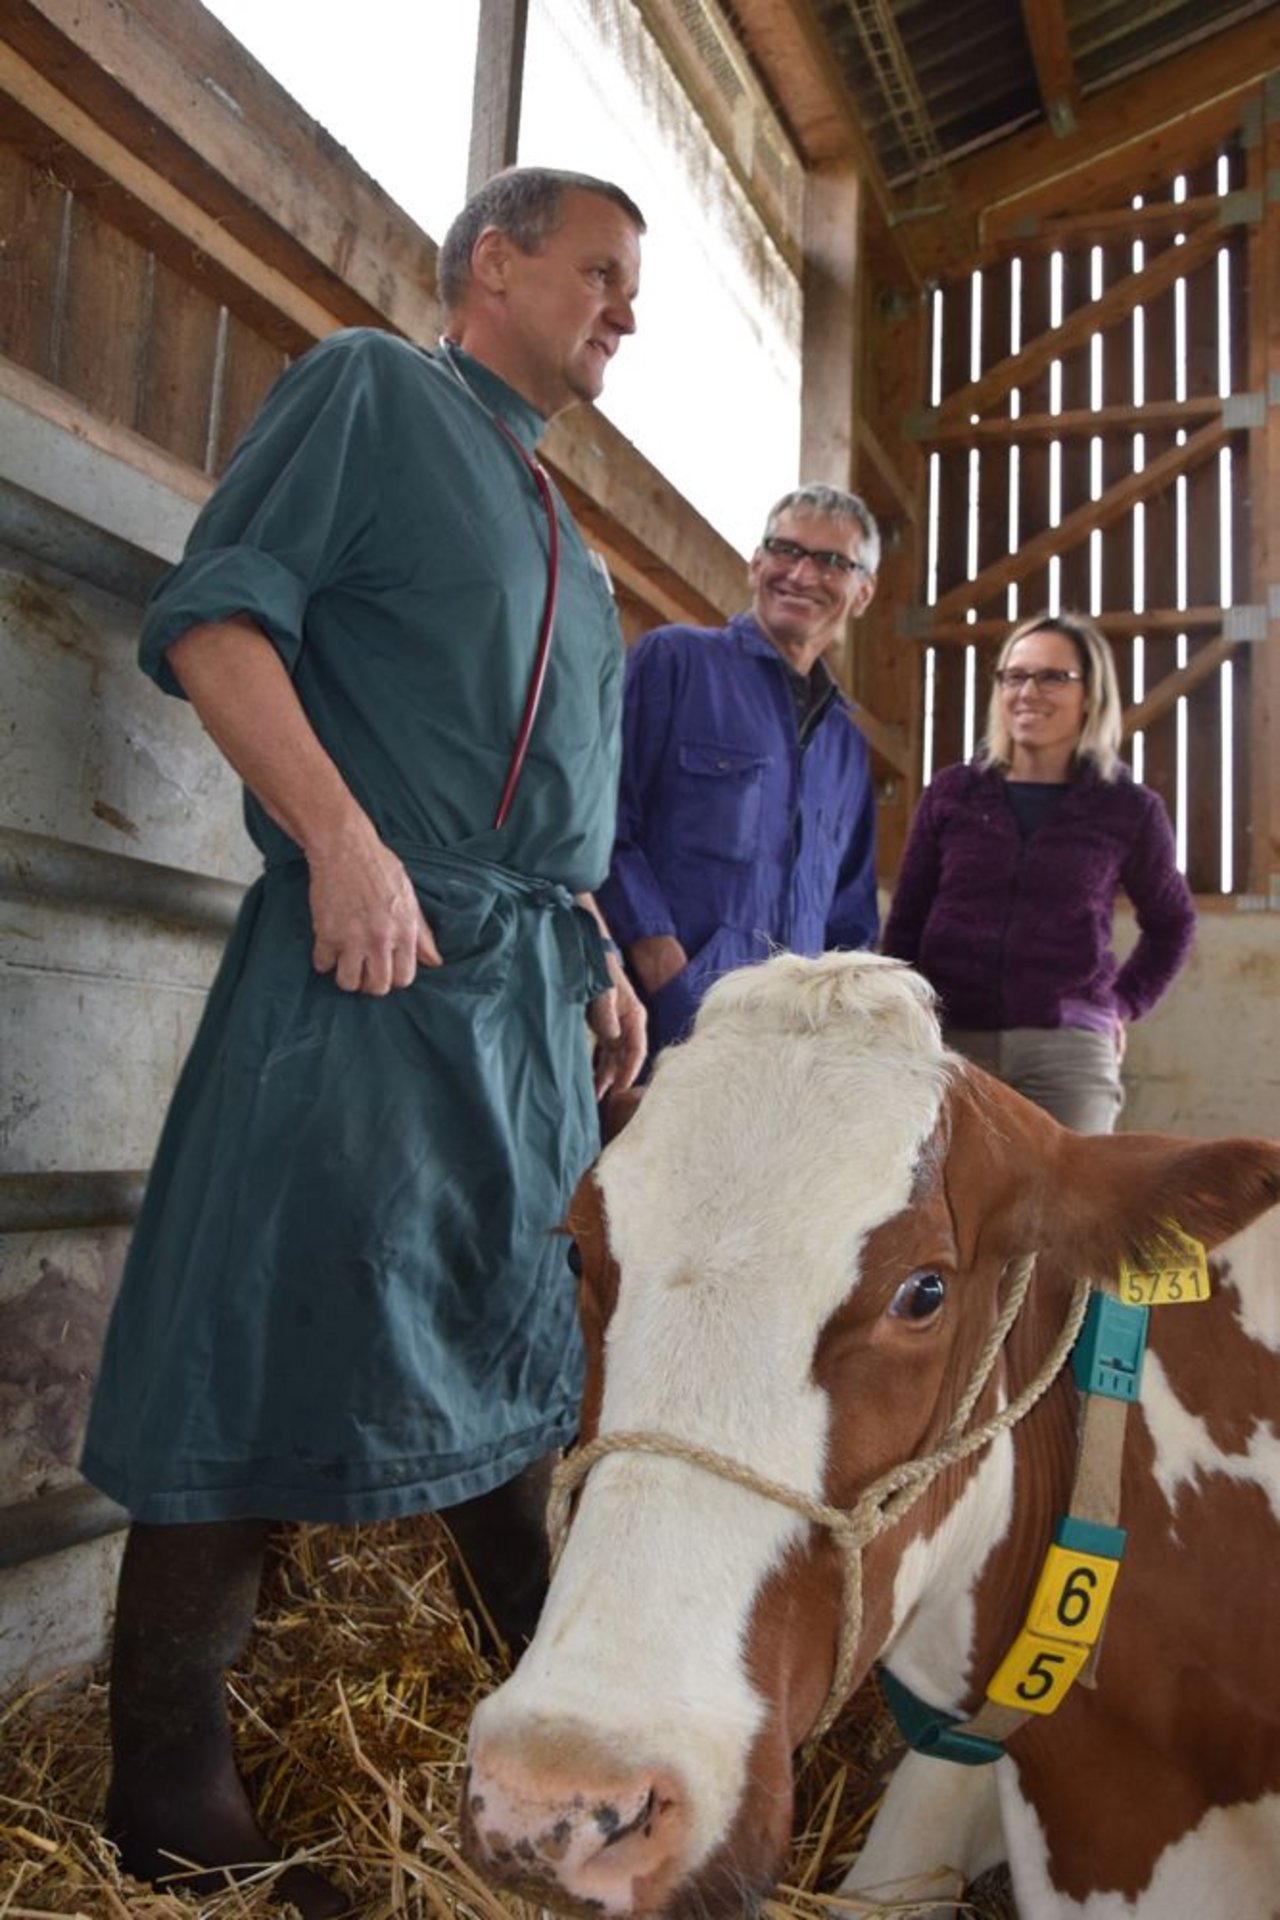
x: 615, y: 1844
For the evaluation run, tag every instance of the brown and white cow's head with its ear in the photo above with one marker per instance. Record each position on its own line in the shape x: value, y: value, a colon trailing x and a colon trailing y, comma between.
x: 792, y: 1257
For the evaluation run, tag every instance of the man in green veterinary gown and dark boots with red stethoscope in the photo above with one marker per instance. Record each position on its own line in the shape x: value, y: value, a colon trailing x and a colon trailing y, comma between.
x: 346, y: 1297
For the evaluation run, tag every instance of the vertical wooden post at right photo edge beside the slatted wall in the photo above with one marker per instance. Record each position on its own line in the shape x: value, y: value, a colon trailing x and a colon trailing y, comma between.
x: 1264, y: 677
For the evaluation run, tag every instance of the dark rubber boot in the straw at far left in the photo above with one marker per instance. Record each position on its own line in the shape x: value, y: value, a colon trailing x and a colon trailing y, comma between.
x: 185, y: 1610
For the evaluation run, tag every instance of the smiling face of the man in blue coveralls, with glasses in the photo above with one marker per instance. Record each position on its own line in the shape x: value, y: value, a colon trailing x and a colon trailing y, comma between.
x: 803, y: 604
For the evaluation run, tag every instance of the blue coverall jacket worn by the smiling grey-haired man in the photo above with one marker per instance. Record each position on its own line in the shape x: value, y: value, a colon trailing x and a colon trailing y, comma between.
x: 734, y: 834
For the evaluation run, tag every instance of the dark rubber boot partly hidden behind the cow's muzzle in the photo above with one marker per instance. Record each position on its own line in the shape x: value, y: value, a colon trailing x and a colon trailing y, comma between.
x: 504, y: 1562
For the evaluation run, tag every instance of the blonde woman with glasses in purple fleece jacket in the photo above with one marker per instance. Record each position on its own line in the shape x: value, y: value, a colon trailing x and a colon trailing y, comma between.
x: 1010, y: 875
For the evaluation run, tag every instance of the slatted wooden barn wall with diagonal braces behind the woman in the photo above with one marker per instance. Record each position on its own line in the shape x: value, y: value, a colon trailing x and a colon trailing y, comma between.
x: 1158, y: 575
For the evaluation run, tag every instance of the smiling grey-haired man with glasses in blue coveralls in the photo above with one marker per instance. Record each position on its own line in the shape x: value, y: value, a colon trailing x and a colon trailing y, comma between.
x: 747, y: 817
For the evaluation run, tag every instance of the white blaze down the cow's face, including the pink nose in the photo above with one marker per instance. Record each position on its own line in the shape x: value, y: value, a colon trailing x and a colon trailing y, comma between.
x: 738, y: 1207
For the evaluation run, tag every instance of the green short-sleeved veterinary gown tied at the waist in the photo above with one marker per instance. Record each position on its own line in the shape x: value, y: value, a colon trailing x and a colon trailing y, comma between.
x: 346, y: 1297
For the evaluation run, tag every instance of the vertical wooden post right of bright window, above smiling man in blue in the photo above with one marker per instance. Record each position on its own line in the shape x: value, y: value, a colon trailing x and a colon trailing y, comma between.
x: 830, y: 331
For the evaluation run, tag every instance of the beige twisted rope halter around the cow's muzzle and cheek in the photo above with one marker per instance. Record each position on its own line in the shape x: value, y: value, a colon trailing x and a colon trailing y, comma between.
x: 882, y: 1504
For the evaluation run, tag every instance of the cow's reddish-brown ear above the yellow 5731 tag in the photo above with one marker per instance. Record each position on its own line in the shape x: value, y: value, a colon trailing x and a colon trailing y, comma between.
x: 1135, y: 1186
